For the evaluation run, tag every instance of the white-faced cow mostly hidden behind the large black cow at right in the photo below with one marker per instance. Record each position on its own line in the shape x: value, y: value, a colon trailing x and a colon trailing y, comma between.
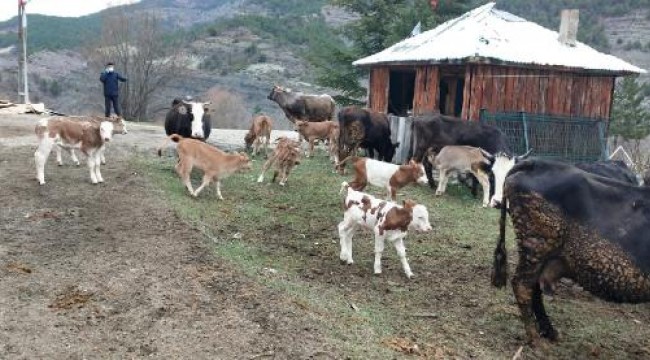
x: 611, y: 169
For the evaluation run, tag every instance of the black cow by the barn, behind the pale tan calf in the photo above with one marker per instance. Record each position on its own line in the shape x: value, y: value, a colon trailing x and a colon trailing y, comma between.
x: 437, y: 131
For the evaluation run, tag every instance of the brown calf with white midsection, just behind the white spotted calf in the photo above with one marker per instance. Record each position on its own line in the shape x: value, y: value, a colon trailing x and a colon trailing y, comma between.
x: 386, y: 175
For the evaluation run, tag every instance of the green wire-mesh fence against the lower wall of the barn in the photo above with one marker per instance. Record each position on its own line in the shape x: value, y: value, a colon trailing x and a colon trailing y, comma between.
x: 570, y: 139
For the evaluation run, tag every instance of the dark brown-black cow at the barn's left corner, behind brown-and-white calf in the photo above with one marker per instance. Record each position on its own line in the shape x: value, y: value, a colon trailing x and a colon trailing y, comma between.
x: 365, y: 128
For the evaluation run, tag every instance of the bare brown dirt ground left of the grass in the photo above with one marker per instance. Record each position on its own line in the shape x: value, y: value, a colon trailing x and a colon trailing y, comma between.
x: 109, y: 271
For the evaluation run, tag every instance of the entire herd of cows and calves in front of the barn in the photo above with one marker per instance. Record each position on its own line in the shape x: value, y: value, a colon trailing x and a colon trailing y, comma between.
x: 587, y: 222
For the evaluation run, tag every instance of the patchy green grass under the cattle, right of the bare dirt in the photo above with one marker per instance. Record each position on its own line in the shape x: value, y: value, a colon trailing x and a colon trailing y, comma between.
x: 292, y: 229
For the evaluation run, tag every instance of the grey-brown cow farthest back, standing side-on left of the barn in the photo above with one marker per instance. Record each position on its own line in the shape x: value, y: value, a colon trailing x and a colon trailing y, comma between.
x: 299, y: 106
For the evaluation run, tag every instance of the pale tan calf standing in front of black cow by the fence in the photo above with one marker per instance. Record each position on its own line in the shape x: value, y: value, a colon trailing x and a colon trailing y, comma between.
x: 462, y: 158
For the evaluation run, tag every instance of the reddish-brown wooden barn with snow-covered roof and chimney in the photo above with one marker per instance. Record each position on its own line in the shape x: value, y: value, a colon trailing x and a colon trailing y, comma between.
x: 490, y: 59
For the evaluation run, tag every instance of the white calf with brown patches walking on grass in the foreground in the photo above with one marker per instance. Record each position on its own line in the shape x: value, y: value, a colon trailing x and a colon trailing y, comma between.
x: 387, y: 220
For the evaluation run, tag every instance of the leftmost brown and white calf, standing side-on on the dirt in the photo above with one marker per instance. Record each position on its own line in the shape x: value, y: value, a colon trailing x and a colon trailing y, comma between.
x: 89, y: 137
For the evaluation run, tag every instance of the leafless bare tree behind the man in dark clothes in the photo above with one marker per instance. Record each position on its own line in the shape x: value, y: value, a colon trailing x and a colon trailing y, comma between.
x: 136, y: 43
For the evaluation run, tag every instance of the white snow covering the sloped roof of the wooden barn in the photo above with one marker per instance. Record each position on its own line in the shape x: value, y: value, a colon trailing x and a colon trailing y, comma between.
x: 488, y: 33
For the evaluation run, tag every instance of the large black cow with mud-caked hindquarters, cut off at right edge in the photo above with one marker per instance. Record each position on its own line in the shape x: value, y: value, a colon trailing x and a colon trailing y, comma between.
x: 571, y: 223
